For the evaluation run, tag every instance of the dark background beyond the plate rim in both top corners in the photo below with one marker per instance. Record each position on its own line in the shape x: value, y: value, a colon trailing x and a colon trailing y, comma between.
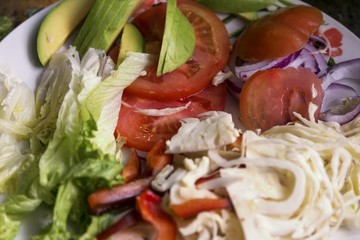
x: 346, y: 12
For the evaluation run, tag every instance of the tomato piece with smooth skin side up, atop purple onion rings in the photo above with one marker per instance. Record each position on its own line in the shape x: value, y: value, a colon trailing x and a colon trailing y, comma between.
x: 278, y: 34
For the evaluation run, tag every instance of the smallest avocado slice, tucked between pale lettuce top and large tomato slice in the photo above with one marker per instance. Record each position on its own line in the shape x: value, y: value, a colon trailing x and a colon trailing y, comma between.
x: 131, y: 40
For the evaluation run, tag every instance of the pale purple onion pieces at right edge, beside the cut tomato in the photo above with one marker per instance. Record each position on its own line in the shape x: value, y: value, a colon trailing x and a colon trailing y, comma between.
x: 341, y: 92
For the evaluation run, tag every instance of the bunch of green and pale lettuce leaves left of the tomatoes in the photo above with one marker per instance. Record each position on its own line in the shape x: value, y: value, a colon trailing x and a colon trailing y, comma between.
x: 78, y: 153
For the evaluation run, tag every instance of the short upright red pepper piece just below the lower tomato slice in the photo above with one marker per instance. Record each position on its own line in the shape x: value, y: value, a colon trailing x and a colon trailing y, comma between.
x: 157, y: 159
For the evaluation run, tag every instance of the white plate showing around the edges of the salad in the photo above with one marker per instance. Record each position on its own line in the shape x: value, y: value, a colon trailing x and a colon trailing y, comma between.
x: 18, y: 52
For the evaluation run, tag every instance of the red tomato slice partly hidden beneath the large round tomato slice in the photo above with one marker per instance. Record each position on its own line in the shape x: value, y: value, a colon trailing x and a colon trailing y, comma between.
x: 142, y: 131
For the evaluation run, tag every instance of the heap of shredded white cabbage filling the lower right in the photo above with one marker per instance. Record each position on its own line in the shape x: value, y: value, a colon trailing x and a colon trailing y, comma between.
x: 298, y: 181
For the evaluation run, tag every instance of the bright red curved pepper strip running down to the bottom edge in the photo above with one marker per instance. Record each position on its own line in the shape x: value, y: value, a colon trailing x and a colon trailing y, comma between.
x: 148, y: 204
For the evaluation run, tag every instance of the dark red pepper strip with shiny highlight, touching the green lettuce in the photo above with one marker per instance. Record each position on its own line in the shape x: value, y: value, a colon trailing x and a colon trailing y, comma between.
x: 106, y: 199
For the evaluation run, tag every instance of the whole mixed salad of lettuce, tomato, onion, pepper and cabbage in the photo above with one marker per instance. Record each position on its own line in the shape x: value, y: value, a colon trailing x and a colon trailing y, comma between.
x: 143, y: 145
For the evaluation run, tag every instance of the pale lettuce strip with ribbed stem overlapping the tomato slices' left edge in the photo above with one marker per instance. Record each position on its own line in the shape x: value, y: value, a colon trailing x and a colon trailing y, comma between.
x: 105, y: 101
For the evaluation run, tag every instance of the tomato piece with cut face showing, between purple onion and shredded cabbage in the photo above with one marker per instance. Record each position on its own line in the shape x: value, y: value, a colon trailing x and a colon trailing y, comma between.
x: 270, y: 97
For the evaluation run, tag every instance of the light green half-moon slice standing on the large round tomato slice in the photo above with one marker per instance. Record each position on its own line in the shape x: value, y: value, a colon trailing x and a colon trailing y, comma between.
x: 178, y: 41
